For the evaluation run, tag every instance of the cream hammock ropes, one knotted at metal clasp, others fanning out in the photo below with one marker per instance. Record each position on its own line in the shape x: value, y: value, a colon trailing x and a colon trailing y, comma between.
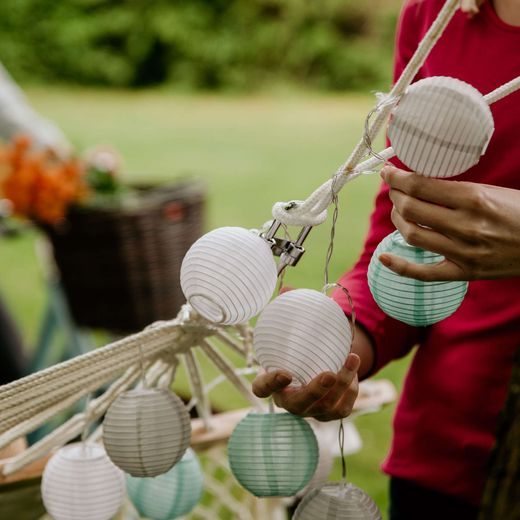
x: 158, y: 350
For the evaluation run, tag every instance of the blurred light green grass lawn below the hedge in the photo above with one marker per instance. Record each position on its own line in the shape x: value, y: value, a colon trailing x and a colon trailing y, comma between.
x: 251, y: 152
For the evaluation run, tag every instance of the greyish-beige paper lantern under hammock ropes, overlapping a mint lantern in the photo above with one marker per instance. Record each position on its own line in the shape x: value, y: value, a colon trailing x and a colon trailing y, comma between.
x: 146, y: 431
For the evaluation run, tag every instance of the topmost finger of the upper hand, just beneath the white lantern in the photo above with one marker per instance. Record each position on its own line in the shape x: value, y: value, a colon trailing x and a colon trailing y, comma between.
x: 436, y: 191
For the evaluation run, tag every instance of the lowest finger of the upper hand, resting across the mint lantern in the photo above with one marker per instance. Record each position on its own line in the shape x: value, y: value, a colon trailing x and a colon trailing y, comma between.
x: 442, y: 271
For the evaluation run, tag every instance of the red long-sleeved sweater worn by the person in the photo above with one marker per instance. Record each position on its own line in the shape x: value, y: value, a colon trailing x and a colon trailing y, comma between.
x: 456, y: 385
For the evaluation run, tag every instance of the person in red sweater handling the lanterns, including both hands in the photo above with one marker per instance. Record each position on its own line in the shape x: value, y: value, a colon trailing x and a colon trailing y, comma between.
x: 445, y: 423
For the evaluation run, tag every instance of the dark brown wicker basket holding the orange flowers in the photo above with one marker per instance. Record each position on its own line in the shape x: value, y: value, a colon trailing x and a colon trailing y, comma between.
x: 120, y: 268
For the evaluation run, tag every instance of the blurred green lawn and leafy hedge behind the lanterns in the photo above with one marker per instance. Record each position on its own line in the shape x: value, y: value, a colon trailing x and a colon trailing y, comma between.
x: 262, y: 99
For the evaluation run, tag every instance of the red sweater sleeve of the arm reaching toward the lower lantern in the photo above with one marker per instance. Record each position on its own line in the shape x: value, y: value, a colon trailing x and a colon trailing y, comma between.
x: 391, y: 339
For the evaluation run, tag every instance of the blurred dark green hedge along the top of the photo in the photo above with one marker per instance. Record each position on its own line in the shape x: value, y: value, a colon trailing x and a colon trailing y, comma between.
x: 239, y: 45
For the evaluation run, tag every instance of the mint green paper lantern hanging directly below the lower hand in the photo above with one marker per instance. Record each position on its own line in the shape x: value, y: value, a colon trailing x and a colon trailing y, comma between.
x: 273, y: 454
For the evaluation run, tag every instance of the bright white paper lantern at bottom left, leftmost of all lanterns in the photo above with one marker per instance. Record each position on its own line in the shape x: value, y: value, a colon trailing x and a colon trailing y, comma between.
x: 80, y: 482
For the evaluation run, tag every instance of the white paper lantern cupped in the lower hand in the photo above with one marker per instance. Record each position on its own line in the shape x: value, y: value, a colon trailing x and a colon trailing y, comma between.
x: 304, y: 332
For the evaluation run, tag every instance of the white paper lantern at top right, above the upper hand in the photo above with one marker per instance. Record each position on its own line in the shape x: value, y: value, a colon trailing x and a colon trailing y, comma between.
x: 440, y: 127
